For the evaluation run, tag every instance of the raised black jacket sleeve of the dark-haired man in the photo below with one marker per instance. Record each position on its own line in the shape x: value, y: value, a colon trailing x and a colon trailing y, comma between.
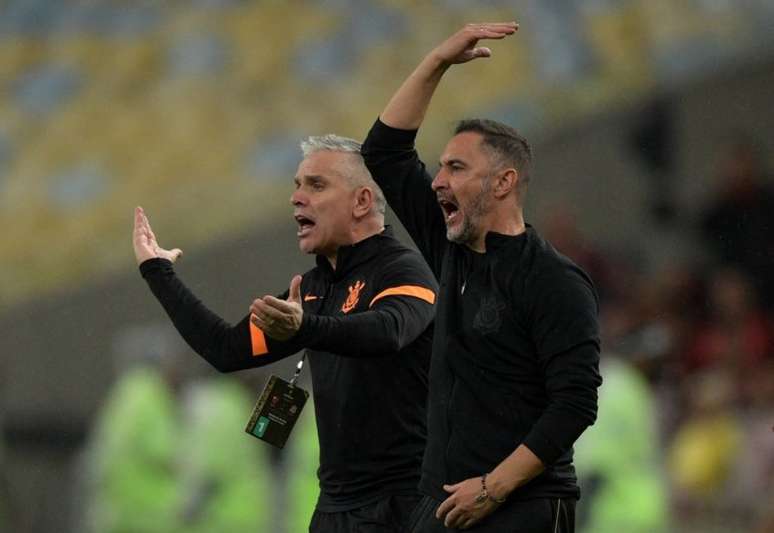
x: 391, y: 158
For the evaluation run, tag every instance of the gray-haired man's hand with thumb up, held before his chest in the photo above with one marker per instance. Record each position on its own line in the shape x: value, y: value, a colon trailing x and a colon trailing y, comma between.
x: 279, y: 319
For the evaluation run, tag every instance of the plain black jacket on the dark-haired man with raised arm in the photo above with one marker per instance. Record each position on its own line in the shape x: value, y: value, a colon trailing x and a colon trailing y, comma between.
x: 516, y: 341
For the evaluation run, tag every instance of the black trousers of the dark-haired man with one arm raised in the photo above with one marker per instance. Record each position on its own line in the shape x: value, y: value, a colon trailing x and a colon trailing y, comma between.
x: 541, y: 515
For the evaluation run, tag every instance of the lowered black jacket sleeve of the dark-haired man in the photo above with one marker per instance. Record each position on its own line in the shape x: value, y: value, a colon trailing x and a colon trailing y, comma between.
x: 566, y: 335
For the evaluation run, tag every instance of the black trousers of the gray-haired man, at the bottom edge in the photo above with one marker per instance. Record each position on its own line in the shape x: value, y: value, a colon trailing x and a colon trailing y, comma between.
x: 388, y: 515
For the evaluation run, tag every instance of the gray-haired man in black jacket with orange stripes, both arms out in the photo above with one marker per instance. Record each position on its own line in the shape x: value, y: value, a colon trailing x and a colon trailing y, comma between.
x: 363, y: 314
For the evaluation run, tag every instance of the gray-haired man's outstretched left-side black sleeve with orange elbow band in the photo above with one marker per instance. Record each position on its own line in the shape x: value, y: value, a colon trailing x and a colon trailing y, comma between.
x: 226, y: 347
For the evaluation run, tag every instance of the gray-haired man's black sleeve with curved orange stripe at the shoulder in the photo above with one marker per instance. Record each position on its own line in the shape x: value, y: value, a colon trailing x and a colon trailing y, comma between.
x: 401, y: 311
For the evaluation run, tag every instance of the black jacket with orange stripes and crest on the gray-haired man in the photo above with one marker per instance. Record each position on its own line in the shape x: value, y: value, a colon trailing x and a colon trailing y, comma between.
x: 367, y: 329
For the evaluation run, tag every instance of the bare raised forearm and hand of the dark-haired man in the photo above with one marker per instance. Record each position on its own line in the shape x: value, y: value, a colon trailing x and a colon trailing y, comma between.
x: 407, y: 108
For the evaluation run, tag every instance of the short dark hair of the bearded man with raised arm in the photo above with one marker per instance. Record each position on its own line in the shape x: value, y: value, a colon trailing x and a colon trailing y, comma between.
x: 507, y: 145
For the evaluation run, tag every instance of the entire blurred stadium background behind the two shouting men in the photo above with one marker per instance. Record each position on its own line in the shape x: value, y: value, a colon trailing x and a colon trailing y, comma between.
x: 650, y: 122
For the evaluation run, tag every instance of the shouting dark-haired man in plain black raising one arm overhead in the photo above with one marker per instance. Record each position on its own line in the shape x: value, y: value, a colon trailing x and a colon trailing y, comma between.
x: 514, y: 371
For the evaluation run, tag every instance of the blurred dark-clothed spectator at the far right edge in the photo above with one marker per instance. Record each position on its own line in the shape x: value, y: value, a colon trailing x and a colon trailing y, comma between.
x: 738, y: 223
